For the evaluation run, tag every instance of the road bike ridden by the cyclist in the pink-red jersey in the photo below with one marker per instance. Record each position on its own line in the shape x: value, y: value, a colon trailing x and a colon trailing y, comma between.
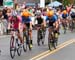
x: 15, y: 45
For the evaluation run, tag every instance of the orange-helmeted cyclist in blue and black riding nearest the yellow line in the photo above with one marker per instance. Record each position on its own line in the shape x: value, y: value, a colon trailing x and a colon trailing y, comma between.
x: 52, y: 21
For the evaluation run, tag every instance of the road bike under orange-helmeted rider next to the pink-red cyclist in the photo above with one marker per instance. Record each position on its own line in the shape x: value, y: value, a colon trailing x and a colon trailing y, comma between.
x: 26, y: 39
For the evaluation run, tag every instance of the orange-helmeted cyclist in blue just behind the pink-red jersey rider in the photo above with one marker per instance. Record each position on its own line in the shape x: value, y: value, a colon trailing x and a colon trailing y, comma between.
x: 26, y: 20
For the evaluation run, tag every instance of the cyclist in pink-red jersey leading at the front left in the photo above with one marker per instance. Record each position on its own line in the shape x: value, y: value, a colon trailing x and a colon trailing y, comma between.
x: 14, y: 26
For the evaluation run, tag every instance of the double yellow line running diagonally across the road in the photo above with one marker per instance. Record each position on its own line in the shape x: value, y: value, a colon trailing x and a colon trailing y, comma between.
x: 46, y: 53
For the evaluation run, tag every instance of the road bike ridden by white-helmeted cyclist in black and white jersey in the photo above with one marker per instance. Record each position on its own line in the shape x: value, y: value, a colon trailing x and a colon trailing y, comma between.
x: 40, y: 35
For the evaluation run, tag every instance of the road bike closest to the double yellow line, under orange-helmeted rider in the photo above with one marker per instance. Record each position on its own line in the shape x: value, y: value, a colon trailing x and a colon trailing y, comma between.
x: 52, y: 39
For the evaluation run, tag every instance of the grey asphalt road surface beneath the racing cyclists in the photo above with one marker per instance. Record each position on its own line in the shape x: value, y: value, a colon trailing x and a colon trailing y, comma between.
x: 63, y: 52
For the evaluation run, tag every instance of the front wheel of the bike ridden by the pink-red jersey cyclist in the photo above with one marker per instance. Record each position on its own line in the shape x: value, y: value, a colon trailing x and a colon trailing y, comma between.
x: 12, y: 47
